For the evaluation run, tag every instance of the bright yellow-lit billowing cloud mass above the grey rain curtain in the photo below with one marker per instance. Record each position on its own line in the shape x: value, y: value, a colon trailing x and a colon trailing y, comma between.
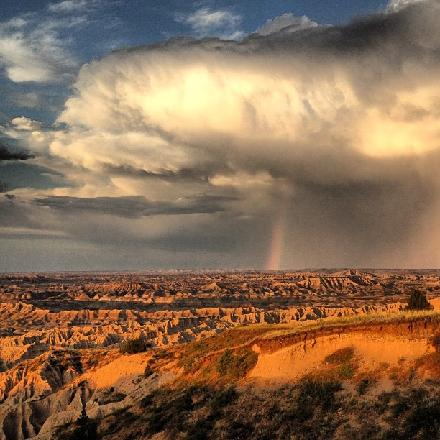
x: 368, y: 89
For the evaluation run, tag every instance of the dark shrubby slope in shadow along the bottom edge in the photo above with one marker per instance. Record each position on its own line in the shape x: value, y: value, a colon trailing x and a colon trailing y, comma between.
x: 311, y: 409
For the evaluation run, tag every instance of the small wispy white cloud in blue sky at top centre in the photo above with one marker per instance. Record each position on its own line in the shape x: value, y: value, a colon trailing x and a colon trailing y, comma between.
x: 207, y: 22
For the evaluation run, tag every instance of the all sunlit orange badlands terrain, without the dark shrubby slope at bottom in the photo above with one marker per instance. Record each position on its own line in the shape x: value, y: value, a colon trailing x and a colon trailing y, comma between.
x: 61, y: 337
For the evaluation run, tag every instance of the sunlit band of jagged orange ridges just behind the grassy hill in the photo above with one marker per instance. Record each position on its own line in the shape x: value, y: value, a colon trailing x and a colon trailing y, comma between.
x: 105, y: 328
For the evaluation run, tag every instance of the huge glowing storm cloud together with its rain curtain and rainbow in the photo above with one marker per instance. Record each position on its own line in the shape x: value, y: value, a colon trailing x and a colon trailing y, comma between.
x: 317, y: 146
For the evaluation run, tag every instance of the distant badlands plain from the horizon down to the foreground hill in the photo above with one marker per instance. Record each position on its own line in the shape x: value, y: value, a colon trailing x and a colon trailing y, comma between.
x: 82, y: 310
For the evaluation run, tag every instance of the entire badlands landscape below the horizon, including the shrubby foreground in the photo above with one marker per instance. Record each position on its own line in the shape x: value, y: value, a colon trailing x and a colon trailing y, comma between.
x: 219, y: 355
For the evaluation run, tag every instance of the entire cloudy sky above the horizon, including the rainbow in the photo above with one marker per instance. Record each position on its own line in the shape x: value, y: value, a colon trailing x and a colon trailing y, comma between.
x: 265, y: 134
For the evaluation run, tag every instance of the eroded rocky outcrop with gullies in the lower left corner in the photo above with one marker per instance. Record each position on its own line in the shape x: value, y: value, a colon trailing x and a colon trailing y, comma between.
x: 42, y: 394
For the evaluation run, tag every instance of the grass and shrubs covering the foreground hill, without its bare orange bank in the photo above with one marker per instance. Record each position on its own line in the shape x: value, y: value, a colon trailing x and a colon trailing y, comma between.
x: 213, y: 399
